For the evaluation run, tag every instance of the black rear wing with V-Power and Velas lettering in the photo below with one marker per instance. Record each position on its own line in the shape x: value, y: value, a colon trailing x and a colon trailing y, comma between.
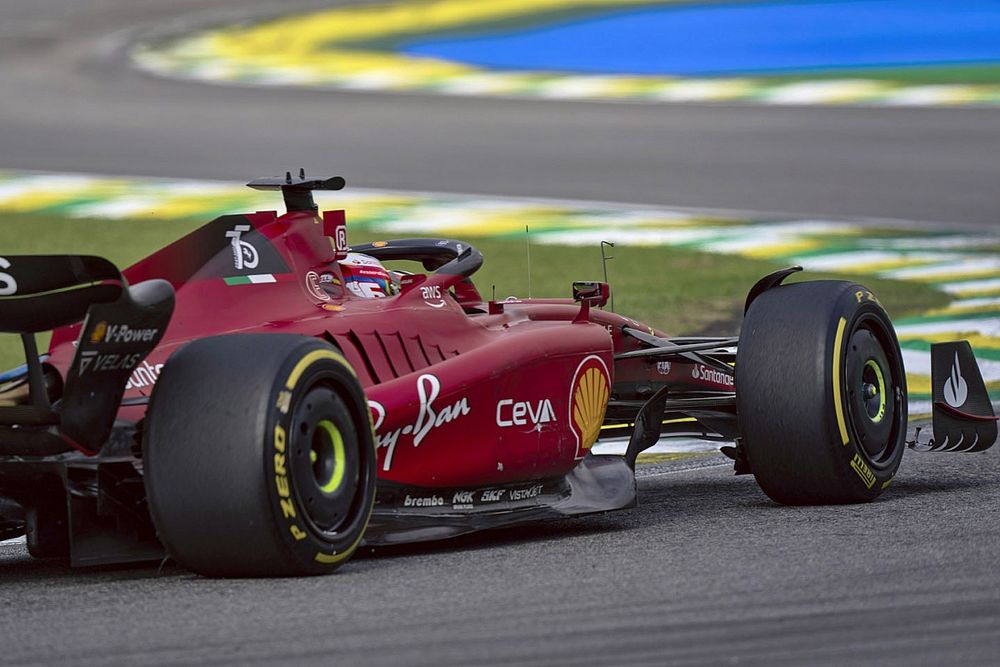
x: 121, y: 326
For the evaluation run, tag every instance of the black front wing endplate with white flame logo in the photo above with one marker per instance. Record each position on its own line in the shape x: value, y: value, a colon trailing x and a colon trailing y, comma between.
x: 964, y: 420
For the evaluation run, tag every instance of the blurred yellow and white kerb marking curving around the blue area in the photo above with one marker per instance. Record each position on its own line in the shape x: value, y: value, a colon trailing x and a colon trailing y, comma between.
x: 340, y: 49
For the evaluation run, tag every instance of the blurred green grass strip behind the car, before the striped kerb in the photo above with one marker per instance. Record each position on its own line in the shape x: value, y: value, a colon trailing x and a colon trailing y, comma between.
x: 678, y: 290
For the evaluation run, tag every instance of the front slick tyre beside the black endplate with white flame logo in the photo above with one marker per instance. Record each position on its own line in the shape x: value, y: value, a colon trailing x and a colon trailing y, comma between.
x: 820, y: 393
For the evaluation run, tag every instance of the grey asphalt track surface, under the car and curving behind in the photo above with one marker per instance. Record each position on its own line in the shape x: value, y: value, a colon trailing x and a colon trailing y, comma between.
x: 706, y: 570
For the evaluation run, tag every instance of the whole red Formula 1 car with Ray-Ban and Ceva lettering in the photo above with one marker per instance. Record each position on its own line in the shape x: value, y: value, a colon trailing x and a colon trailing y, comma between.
x: 258, y: 398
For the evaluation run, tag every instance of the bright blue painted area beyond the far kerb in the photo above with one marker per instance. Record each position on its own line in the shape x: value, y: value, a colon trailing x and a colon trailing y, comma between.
x: 742, y: 38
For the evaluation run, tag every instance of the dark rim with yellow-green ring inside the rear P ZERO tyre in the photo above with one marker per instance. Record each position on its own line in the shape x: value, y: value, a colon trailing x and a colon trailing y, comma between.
x: 325, y: 461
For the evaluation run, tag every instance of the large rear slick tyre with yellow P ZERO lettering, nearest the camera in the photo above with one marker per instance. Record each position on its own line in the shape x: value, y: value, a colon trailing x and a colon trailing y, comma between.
x: 259, y: 457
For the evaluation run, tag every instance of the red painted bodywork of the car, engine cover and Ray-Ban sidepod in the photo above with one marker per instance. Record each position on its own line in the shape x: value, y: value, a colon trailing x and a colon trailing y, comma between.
x: 461, y: 393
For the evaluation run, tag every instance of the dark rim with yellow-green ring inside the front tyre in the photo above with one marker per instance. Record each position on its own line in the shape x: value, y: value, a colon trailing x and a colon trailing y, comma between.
x: 873, y: 381
